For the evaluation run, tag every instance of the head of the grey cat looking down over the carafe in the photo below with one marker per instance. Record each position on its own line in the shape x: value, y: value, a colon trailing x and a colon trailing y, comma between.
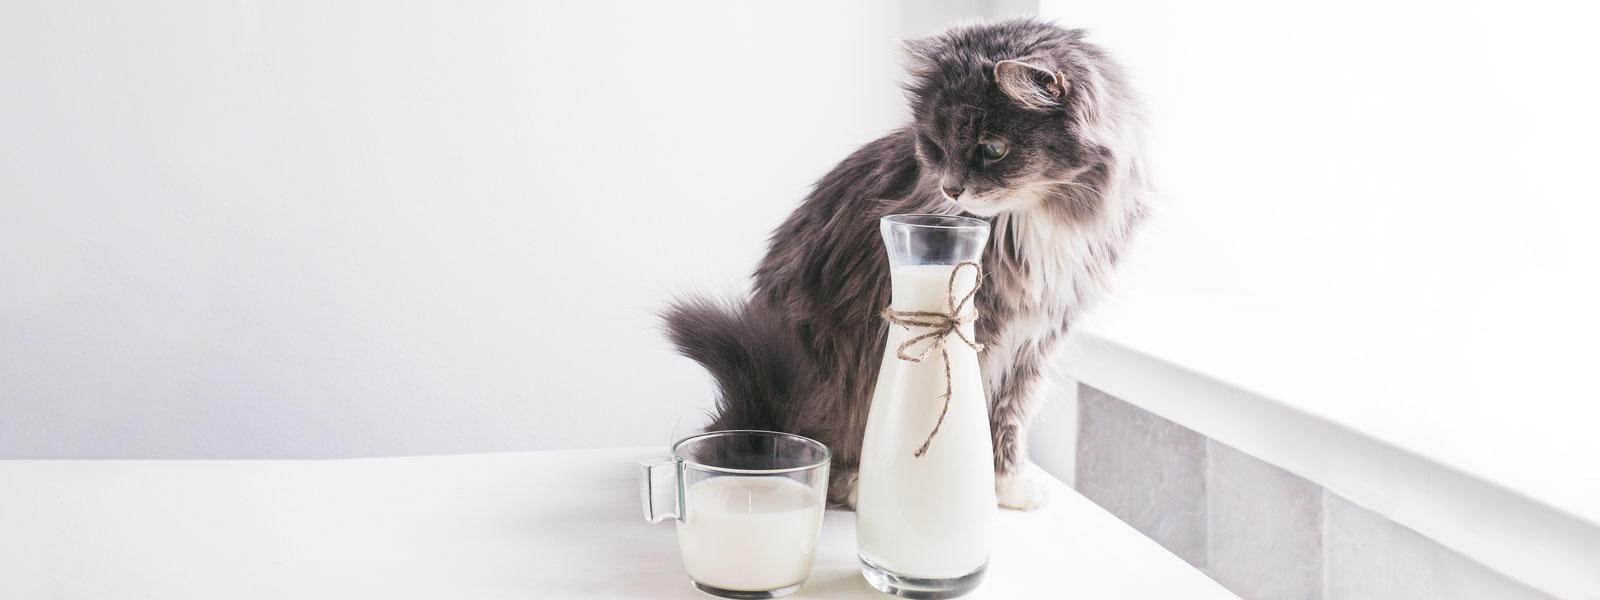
x: 1007, y: 116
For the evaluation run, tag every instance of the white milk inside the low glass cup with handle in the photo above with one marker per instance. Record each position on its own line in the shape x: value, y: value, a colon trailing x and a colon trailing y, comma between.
x: 750, y: 534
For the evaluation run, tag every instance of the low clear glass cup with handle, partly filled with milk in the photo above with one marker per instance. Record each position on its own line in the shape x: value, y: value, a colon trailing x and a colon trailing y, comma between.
x: 748, y: 505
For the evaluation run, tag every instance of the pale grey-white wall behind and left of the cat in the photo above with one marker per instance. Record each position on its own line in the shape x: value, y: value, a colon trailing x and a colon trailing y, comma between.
x: 394, y: 228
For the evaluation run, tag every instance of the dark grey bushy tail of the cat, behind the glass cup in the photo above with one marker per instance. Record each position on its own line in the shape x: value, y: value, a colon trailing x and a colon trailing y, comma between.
x: 750, y: 351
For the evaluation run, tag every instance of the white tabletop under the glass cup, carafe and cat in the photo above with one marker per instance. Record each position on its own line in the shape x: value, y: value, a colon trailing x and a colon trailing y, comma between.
x: 526, y: 526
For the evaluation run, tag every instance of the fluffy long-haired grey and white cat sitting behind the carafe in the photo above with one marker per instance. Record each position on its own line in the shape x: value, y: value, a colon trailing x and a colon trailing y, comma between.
x: 1018, y: 122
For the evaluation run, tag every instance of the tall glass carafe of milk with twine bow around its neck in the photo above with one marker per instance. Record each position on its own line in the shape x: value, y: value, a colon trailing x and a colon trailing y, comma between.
x: 926, y: 497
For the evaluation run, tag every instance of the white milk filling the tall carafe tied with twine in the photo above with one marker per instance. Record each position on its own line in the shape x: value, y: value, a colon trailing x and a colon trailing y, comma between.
x: 932, y: 516
